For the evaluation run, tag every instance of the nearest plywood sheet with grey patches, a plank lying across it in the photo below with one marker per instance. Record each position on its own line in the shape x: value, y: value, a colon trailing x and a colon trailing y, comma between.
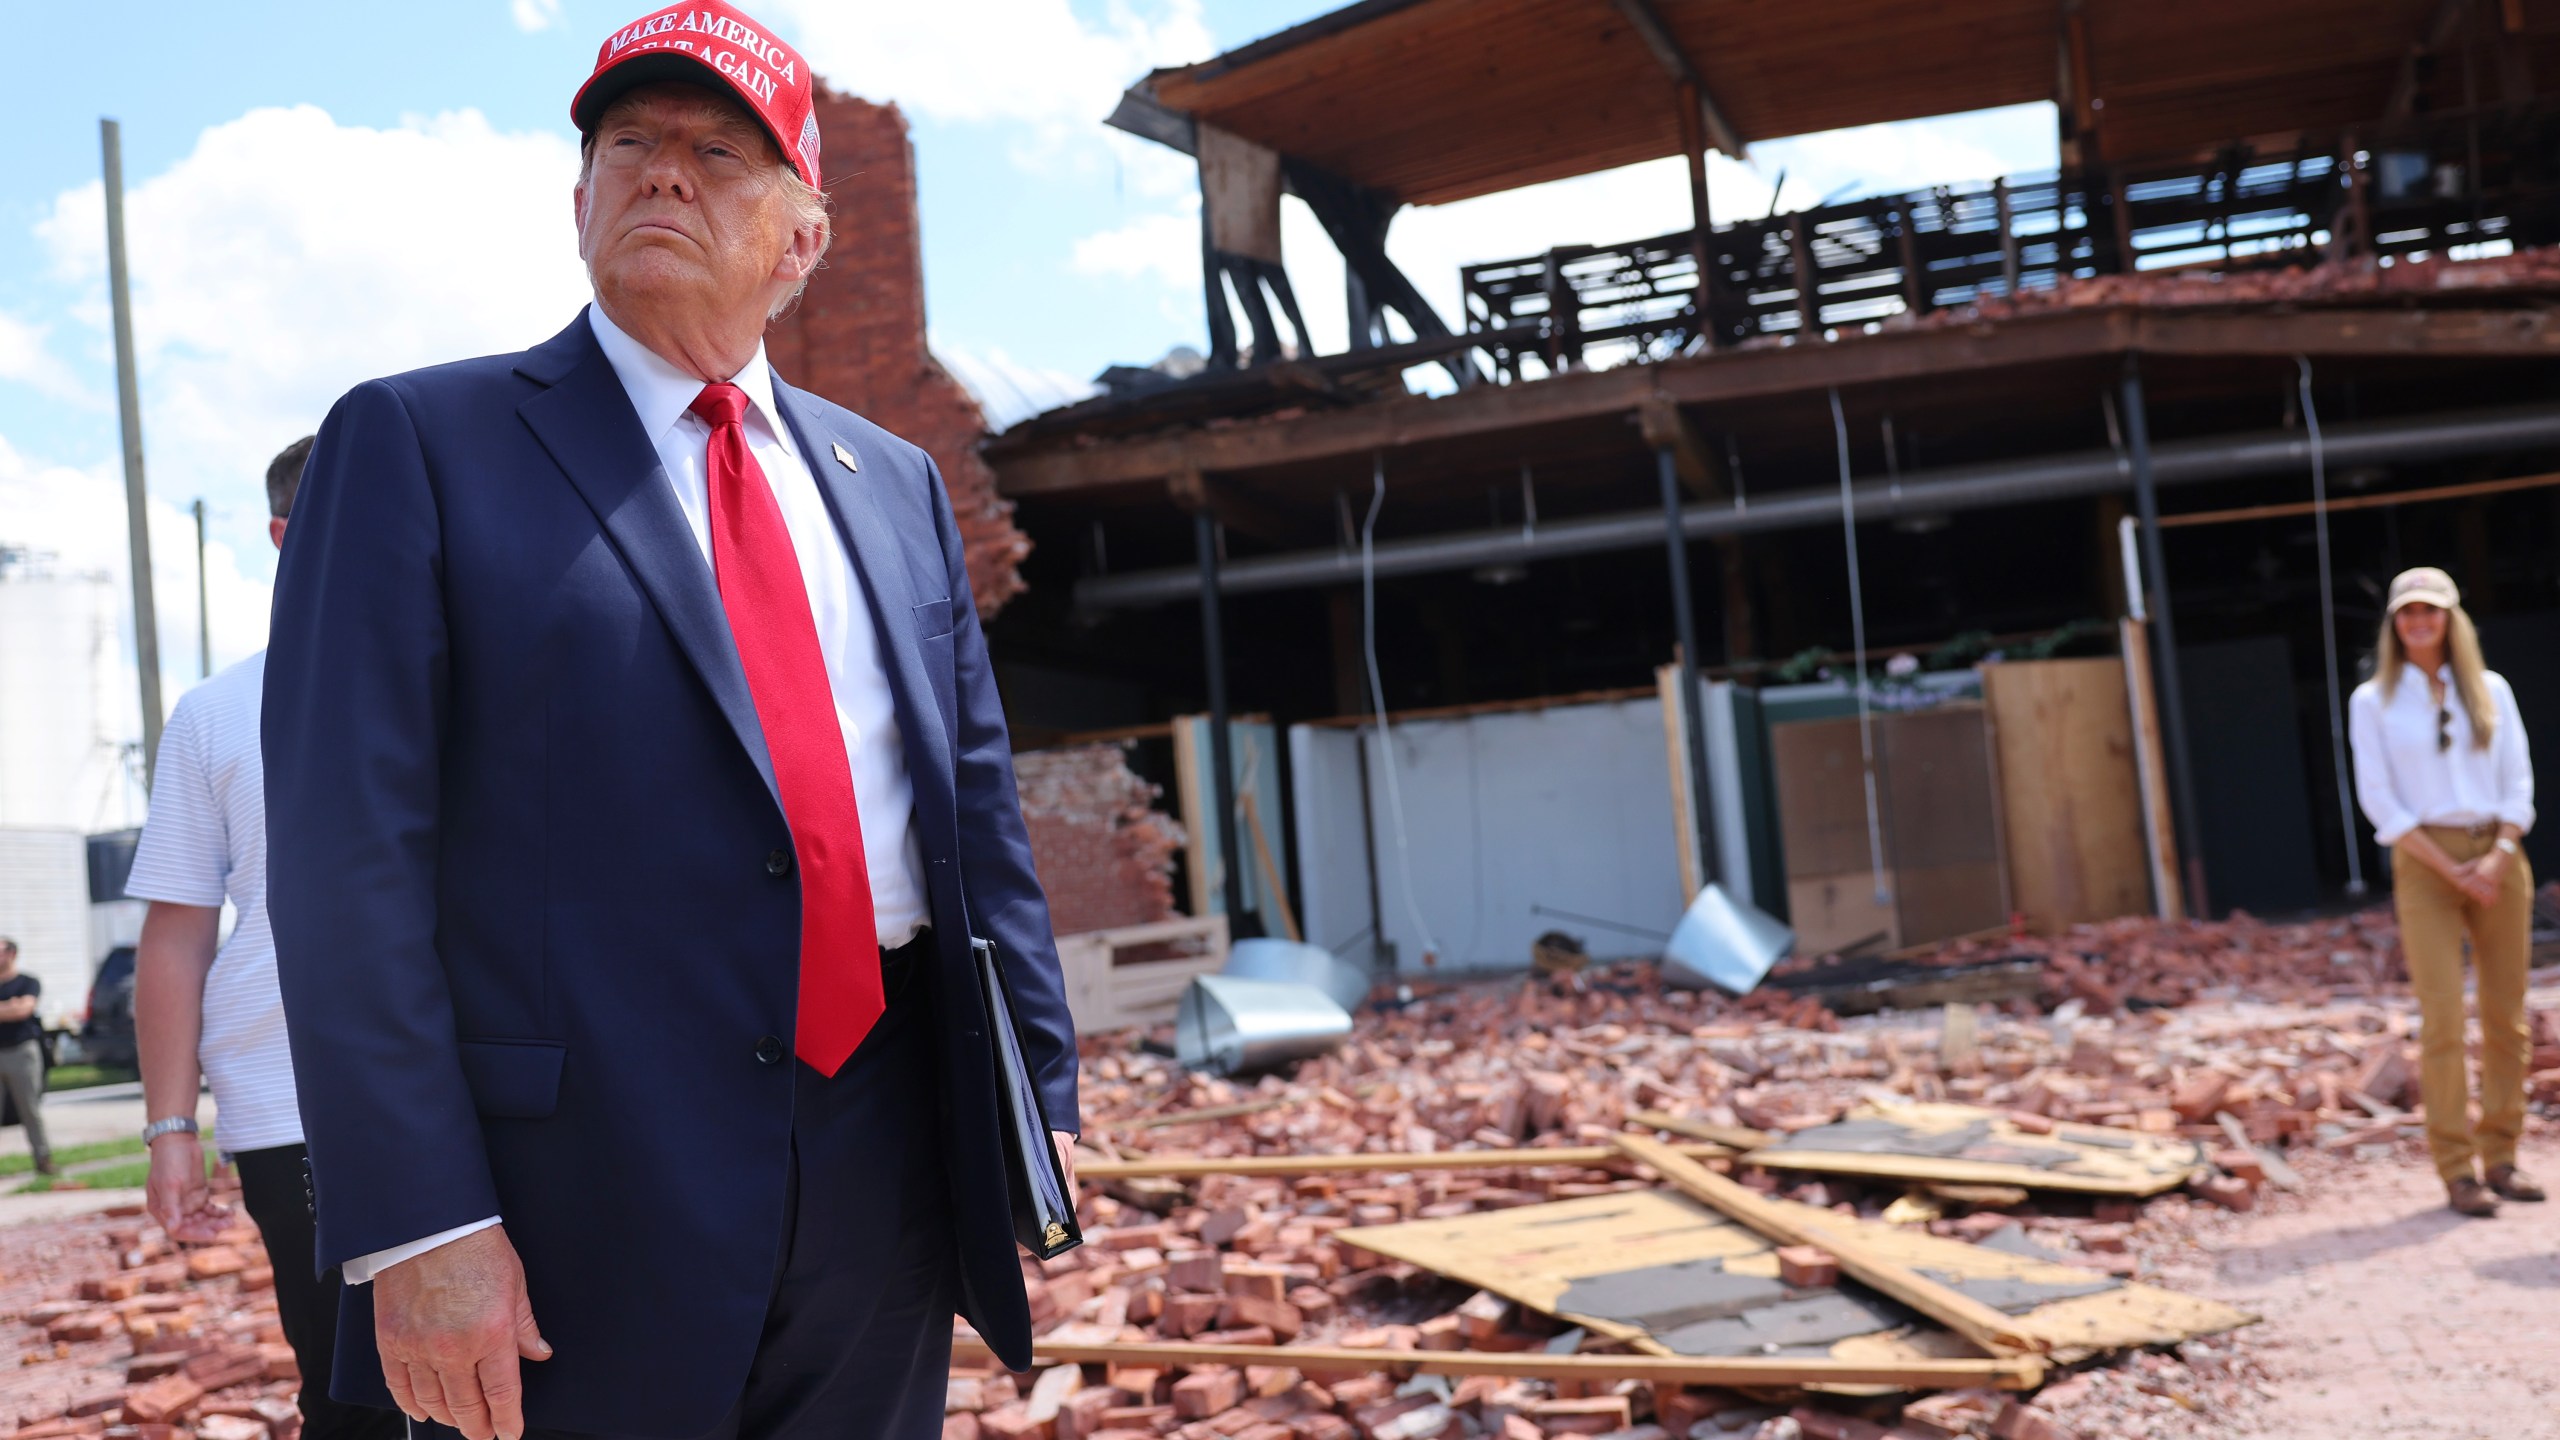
x: 1673, y: 1277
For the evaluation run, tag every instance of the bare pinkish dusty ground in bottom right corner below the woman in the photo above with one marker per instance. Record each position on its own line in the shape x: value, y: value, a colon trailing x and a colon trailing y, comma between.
x: 2387, y: 1316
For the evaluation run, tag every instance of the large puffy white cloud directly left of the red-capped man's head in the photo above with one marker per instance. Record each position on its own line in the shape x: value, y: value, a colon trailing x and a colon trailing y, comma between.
x: 291, y: 258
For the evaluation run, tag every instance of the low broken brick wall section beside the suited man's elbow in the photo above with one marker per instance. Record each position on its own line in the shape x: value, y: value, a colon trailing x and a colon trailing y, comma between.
x: 1102, y: 849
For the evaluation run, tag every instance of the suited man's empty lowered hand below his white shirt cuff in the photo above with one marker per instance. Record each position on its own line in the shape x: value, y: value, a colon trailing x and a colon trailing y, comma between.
x: 452, y: 1326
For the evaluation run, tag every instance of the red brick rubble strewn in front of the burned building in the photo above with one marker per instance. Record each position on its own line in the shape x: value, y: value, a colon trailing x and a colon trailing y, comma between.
x: 1245, y: 1259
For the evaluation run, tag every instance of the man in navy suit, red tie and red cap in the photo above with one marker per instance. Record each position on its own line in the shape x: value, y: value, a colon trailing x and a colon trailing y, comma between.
x: 636, y: 783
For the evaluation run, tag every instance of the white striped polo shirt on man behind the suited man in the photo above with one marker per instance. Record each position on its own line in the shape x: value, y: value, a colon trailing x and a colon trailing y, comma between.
x: 204, y: 844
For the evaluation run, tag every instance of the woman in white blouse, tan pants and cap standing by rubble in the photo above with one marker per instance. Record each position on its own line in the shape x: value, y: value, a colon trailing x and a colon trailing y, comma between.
x: 2444, y: 775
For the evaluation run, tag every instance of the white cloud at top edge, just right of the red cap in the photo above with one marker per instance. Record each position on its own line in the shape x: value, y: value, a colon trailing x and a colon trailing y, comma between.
x: 1033, y: 63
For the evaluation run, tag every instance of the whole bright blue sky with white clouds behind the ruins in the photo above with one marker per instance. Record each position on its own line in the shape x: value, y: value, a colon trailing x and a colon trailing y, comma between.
x: 324, y: 191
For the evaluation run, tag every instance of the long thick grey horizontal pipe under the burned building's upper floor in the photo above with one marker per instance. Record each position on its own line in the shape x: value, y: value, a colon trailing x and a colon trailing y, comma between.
x: 1919, y: 493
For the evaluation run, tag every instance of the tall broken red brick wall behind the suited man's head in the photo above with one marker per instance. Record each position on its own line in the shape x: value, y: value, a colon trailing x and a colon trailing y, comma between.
x: 859, y: 332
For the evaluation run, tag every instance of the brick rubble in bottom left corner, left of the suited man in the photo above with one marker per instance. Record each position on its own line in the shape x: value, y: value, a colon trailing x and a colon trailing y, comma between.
x: 132, y: 1339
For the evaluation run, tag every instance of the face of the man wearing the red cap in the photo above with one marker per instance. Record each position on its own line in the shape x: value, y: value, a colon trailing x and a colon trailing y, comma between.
x: 685, y: 209
